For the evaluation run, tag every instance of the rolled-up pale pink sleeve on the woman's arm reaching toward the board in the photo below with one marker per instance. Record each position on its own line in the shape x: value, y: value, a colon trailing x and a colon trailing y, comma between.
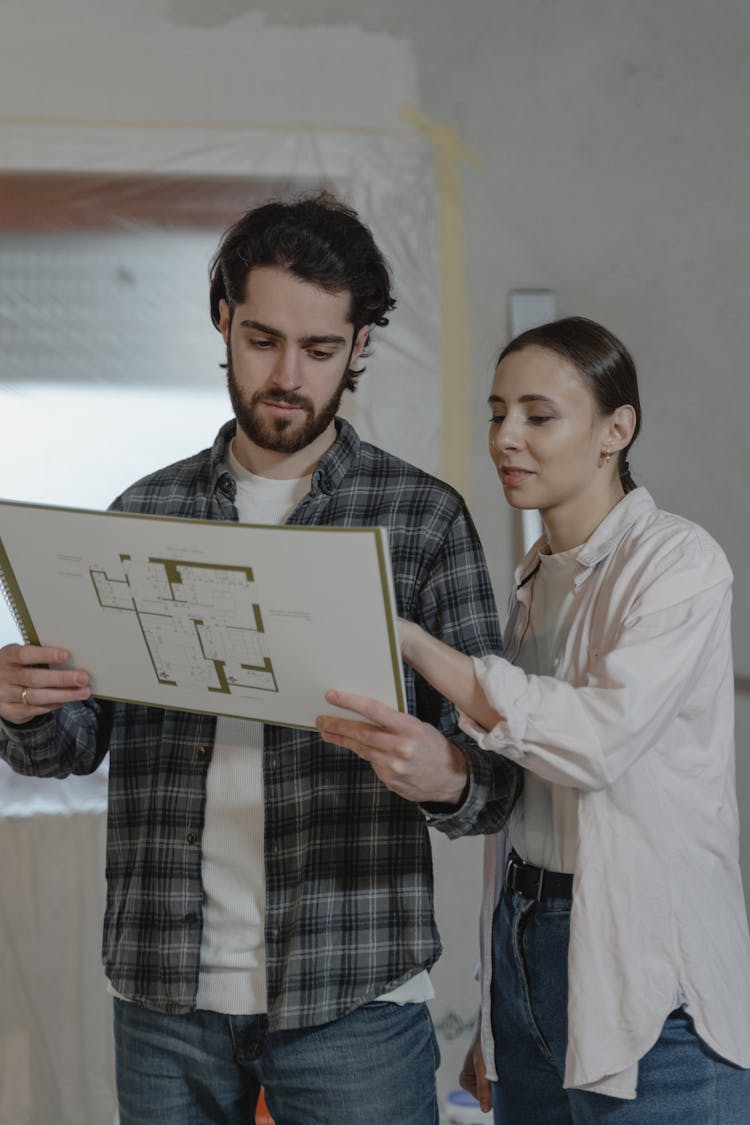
x: 586, y: 736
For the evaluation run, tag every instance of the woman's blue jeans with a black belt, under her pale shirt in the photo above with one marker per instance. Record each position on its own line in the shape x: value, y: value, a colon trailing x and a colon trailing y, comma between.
x: 682, y: 1082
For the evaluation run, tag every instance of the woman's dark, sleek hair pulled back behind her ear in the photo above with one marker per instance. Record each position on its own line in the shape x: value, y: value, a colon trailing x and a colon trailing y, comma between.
x: 601, y: 359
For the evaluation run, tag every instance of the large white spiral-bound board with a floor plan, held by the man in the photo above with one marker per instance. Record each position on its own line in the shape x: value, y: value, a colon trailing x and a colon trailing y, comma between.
x: 229, y: 619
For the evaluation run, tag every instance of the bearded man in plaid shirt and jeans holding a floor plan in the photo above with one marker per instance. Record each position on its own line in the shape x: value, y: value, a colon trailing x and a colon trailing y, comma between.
x: 269, y: 913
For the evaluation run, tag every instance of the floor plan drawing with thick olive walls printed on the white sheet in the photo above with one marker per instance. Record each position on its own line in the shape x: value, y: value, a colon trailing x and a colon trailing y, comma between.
x: 202, y: 623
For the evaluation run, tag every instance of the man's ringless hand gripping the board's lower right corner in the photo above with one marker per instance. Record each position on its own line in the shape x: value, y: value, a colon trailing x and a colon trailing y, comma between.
x: 410, y: 757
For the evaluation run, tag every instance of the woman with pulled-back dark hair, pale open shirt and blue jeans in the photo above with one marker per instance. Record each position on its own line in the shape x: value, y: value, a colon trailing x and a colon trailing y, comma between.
x: 619, y: 984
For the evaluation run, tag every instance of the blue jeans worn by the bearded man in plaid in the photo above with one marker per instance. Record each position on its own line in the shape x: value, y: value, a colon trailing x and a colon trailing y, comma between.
x: 374, y: 1066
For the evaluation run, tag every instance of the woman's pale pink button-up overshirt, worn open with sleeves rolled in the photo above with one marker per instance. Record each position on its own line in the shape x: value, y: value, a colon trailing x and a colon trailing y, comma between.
x: 639, y: 719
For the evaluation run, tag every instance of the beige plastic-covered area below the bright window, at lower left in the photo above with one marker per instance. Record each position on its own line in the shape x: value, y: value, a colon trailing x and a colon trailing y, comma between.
x: 56, y: 1020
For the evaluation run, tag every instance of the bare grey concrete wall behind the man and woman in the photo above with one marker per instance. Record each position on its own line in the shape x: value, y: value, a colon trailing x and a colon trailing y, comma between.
x: 616, y: 165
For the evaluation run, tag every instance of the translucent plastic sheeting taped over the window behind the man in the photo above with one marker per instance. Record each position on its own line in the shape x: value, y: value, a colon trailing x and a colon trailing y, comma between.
x: 109, y: 370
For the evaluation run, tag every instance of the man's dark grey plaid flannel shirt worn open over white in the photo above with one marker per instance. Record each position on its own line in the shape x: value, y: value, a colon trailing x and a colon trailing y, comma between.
x: 349, y: 906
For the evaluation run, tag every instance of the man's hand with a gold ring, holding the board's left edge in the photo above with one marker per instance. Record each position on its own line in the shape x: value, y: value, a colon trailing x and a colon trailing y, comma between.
x: 31, y: 686
